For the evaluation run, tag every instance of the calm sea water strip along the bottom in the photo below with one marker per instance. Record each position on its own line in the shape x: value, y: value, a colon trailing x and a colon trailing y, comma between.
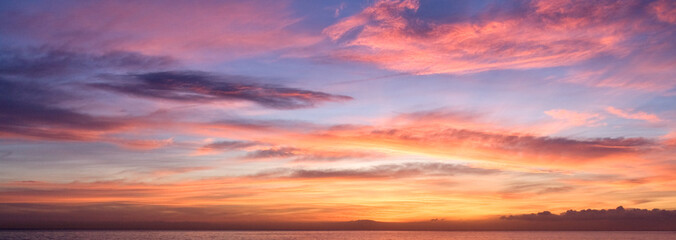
x: 320, y: 235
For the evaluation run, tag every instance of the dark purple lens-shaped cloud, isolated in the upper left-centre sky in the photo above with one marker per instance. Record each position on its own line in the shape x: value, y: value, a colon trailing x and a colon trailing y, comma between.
x: 204, y: 87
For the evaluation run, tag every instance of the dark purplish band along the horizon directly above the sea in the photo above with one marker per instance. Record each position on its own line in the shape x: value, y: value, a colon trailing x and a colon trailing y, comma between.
x: 619, y: 219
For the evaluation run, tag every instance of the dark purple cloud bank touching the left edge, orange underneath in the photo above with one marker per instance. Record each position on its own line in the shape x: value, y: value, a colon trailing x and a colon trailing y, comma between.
x: 34, y: 101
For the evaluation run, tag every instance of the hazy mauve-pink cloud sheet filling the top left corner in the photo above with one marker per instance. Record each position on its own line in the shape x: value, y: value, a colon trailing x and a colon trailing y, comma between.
x: 209, y: 30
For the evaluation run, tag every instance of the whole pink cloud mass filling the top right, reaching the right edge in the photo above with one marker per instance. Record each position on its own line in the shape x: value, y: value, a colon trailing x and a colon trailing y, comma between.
x: 602, y: 43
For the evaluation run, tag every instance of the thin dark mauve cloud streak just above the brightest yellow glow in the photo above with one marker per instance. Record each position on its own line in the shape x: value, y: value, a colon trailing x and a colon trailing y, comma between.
x: 383, y: 171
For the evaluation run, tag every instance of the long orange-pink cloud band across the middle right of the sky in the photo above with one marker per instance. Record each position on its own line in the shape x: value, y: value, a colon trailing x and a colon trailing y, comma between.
x: 444, y: 135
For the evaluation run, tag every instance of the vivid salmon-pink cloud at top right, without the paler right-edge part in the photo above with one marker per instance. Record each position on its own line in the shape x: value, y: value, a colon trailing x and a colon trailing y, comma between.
x: 544, y: 34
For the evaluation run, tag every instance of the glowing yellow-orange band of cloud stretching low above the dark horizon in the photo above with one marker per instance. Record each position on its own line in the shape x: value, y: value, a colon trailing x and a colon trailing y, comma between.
x: 387, y: 192
